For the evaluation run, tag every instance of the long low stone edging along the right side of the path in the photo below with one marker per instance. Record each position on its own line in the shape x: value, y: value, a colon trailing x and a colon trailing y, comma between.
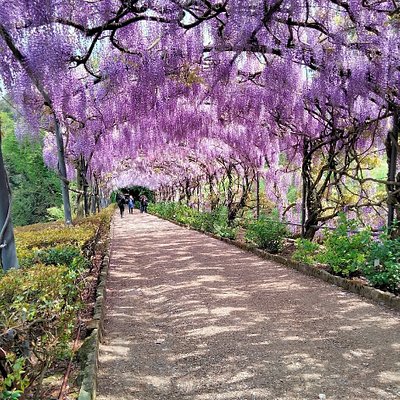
x: 383, y: 298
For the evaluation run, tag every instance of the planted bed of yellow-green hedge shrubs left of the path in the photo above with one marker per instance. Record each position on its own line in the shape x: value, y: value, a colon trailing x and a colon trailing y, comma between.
x: 47, y: 307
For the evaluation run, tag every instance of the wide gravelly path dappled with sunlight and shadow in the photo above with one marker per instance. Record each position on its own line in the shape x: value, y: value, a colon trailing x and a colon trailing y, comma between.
x: 189, y: 317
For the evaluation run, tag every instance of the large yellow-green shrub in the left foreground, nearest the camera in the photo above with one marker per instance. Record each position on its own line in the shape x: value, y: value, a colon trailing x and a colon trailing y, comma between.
x: 38, y: 306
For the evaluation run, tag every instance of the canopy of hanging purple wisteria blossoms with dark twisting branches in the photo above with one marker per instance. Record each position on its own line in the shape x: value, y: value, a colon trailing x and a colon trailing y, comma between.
x: 182, y: 93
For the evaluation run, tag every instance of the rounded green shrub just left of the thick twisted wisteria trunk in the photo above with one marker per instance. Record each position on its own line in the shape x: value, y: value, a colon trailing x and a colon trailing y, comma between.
x: 268, y: 233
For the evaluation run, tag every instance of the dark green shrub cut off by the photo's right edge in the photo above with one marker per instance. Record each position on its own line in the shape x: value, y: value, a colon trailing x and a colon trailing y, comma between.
x: 382, y: 268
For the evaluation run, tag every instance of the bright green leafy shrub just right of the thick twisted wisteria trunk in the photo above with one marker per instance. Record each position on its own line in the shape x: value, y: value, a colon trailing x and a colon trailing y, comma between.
x: 345, y: 249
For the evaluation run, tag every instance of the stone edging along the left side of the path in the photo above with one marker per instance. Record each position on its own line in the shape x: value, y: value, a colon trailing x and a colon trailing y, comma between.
x: 95, y: 328
